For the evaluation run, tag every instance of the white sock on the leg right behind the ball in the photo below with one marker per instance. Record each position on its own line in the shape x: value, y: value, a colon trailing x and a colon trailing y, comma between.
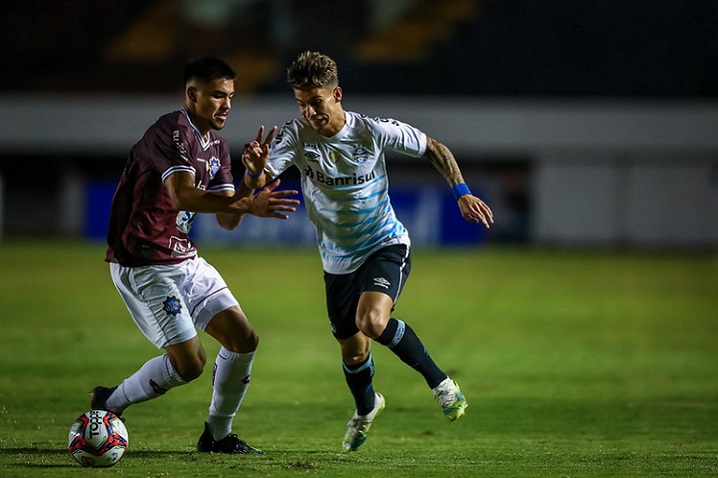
x: 153, y: 379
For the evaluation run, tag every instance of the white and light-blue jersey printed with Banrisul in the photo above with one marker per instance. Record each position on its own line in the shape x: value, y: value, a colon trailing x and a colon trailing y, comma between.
x: 345, y: 183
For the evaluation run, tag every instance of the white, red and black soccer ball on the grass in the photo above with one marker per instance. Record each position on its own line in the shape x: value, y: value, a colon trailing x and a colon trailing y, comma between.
x: 98, y: 438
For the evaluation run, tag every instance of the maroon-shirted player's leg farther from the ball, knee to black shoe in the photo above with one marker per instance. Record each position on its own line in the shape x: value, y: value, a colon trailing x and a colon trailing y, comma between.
x: 230, y: 381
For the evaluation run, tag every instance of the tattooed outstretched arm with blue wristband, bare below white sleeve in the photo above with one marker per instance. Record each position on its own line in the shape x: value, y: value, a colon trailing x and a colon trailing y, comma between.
x: 472, y: 208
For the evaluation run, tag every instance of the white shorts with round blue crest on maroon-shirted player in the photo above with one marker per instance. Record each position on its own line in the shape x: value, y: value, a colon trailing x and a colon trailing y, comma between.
x: 167, y: 302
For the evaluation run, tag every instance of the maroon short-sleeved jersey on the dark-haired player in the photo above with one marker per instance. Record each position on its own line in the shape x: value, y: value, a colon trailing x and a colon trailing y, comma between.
x: 145, y: 228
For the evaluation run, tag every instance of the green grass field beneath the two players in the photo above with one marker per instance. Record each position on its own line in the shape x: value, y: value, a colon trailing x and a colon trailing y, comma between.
x: 574, y: 364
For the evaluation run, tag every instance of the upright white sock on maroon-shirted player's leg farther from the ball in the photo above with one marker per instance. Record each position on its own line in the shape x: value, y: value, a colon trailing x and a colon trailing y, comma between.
x: 230, y: 380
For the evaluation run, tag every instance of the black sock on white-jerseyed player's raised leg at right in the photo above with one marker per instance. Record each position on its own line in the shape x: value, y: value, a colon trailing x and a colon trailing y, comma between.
x: 402, y: 340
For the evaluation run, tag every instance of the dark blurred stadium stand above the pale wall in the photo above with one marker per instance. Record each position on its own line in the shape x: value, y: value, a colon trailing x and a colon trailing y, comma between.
x: 456, y: 47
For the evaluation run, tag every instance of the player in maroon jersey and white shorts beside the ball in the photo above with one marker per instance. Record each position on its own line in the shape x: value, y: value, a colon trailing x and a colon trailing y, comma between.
x: 181, y: 167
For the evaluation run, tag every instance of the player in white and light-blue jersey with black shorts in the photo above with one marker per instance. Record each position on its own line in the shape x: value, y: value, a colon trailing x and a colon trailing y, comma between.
x: 363, y: 246
